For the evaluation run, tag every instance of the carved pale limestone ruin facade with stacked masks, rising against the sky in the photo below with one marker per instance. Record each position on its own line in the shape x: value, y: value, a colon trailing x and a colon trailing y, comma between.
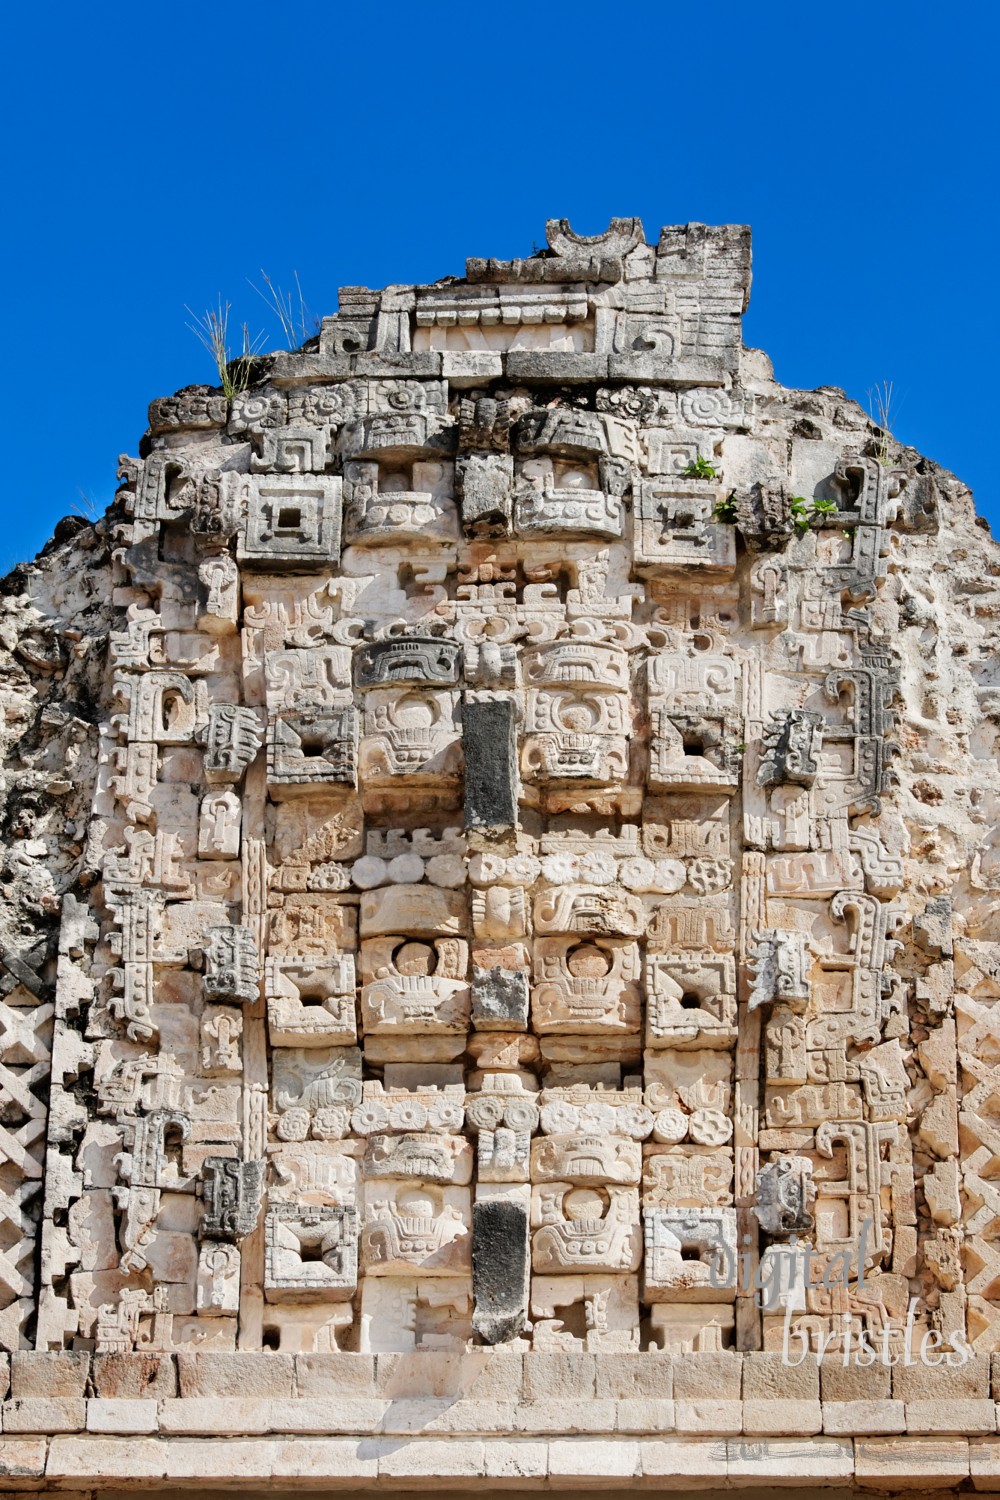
x: 501, y: 866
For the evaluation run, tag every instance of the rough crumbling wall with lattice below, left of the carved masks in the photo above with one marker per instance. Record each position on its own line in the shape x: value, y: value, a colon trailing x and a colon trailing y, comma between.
x: 55, y: 620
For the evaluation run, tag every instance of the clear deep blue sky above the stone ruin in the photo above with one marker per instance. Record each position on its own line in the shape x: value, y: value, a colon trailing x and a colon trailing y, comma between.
x: 152, y: 167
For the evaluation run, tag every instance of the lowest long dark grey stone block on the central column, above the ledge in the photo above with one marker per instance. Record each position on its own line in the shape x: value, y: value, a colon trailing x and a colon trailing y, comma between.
x: 500, y: 1270
